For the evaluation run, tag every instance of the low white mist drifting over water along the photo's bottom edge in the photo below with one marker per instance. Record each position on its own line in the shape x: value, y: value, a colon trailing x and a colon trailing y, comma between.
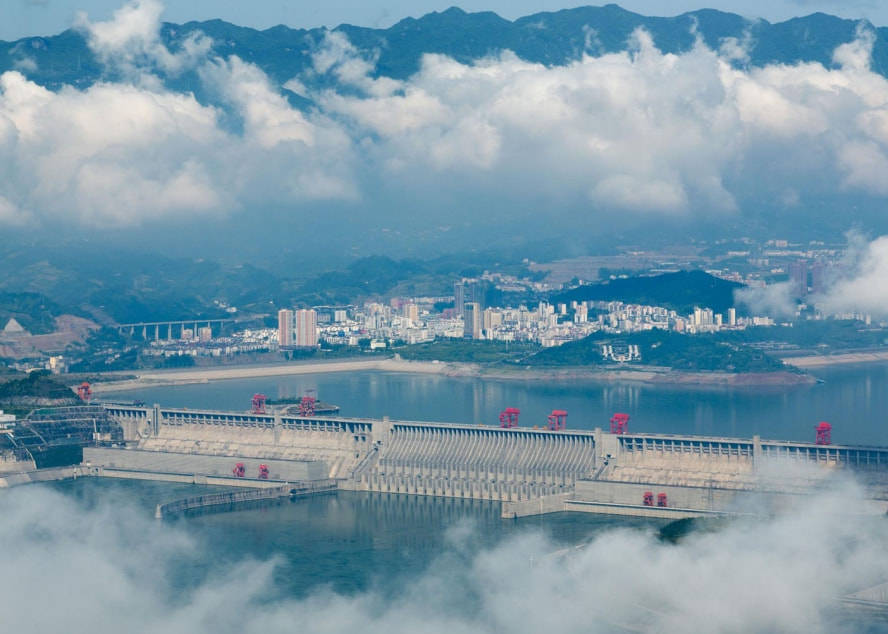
x: 97, y: 562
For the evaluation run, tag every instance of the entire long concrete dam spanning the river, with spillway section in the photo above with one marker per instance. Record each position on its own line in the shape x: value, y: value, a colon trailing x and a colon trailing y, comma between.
x: 530, y: 471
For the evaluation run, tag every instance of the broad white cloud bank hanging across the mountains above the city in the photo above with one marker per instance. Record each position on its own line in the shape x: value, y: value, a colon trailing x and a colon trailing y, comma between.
x: 639, y: 131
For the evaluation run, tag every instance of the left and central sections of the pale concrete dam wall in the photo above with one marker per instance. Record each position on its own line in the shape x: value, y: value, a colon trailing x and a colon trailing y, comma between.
x: 470, y: 461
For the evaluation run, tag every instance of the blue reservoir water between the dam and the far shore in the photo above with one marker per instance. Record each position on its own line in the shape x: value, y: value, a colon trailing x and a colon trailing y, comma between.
x: 854, y: 399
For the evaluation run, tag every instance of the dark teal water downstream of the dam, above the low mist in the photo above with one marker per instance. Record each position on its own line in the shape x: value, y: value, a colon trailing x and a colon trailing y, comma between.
x: 347, y: 541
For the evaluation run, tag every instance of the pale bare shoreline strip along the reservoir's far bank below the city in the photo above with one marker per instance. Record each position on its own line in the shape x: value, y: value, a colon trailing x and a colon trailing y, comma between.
x: 659, y: 376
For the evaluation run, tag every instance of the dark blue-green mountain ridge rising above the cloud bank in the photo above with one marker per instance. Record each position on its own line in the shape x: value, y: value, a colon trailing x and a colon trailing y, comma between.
x: 552, y: 38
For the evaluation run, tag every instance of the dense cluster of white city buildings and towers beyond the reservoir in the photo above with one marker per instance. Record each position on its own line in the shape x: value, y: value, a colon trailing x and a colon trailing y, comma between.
x: 377, y: 325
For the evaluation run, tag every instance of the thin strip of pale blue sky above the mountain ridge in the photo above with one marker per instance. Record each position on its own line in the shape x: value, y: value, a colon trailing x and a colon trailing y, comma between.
x: 21, y: 18
